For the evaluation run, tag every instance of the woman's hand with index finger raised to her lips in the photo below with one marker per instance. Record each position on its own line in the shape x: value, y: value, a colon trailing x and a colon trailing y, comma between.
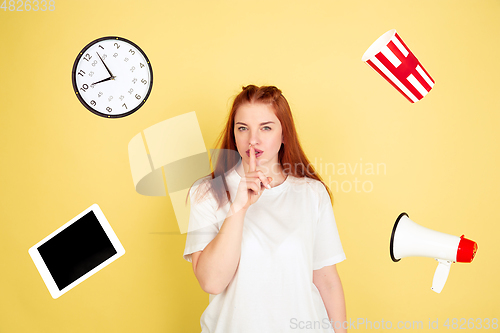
x: 252, y: 184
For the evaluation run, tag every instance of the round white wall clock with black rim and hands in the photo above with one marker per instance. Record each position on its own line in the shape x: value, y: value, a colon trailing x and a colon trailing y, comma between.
x: 112, y: 77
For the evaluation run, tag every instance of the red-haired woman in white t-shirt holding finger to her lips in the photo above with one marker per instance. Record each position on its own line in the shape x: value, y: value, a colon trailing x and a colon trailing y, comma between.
x: 262, y: 235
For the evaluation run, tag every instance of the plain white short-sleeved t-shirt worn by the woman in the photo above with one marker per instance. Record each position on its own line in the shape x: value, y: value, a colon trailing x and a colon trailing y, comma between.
x: 289, y: 232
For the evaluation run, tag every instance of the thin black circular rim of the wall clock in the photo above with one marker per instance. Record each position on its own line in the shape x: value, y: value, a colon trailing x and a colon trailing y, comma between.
x: 75, y: 87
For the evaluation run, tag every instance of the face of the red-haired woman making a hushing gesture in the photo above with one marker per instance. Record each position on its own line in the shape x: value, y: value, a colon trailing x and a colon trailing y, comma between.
x: 257, y: 124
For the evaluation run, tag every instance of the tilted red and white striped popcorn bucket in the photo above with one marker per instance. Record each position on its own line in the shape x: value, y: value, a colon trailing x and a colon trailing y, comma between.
x: 392, y: 59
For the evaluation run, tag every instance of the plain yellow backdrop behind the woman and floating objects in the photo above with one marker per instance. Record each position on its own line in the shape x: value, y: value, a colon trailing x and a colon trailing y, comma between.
x: 440, y: 154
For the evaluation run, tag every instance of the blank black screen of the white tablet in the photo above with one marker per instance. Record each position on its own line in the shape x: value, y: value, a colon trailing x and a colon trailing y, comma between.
x: 76, y: 250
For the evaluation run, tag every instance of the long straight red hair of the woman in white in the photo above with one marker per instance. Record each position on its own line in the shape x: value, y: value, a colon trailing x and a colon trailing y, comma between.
x: 290, y: 153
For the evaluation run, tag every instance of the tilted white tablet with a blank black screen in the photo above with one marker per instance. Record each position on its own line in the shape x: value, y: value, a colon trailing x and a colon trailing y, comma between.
x: 75, y: 251
